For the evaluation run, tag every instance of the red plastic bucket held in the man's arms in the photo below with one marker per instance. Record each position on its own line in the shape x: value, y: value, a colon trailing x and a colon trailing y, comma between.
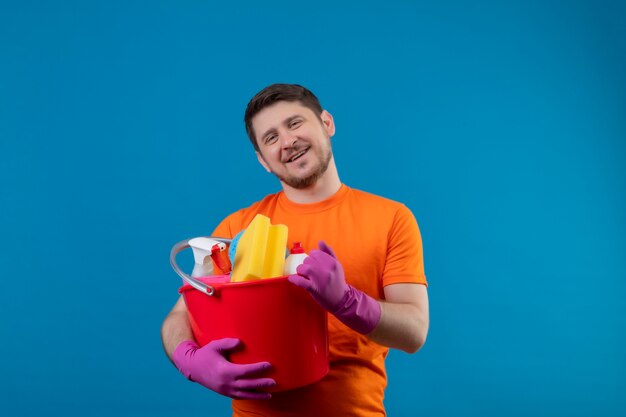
x: 276, y: 321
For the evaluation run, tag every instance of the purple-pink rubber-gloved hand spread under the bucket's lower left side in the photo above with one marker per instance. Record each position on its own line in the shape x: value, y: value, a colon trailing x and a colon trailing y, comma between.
x: 208, y: 367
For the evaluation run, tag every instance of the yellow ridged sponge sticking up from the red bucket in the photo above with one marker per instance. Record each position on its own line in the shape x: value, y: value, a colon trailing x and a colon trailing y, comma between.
x: 260, y: 251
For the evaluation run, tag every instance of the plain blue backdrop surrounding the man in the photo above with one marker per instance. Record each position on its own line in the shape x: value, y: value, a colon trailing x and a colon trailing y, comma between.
x: 502, y: 125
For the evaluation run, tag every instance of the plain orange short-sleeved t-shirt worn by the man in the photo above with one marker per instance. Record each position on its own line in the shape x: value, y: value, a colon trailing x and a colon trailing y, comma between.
x: 378, y: 243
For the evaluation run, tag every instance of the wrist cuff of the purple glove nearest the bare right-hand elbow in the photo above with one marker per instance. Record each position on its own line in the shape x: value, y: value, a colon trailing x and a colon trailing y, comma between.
x: 358, y: 311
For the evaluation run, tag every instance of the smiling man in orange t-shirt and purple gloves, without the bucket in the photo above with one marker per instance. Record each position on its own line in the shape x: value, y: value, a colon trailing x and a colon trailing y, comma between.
x: 365, y: 268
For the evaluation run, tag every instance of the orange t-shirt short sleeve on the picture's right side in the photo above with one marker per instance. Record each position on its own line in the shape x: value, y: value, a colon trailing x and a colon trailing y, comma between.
x: 405, y: 261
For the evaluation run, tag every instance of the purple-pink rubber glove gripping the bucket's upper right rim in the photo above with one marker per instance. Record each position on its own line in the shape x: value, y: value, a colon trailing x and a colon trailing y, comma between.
x: 322, y: 276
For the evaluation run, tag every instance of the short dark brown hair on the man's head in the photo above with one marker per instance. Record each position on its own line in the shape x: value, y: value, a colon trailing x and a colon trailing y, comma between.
x: 273, y: 94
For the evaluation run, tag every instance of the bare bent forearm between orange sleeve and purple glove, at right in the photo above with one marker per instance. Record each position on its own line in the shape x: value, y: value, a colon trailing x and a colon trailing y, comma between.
x: 404, y: 318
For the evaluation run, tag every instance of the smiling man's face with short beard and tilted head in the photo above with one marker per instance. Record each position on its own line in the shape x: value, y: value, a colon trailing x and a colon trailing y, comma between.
x: 294, y: 143
